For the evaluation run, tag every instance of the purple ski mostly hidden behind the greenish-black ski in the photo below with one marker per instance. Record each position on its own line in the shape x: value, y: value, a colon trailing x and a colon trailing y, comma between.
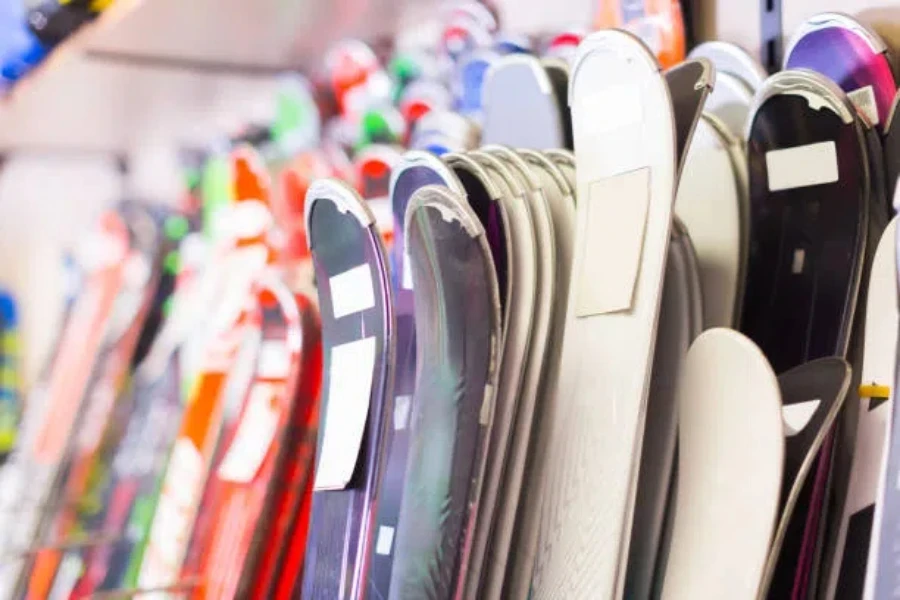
x: 416, y: 170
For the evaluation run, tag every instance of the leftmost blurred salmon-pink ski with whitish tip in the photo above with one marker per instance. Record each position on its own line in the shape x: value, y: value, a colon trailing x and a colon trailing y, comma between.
x: 56, y: 403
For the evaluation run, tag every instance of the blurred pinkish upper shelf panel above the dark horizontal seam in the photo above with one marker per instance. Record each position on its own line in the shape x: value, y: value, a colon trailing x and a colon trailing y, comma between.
x: 258, y: 35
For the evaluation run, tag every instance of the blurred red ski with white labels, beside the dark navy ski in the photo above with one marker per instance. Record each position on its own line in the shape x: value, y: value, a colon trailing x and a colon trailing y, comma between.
x: 283, y: 392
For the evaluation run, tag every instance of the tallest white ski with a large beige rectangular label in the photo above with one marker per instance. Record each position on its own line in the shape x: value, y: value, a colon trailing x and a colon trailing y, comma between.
x: 625, y: 140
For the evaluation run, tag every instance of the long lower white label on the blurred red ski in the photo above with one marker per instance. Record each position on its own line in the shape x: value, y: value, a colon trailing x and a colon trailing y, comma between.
x: 253, y: 438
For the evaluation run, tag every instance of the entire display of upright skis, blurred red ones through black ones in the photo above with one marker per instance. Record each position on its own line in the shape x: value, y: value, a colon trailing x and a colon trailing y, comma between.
x: 606, y: 331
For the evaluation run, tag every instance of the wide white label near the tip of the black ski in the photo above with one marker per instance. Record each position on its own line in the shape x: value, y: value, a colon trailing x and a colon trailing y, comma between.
x: 802, y: 166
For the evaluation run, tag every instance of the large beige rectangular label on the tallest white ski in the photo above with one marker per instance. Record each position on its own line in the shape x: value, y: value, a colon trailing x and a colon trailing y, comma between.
x: 612, y: 235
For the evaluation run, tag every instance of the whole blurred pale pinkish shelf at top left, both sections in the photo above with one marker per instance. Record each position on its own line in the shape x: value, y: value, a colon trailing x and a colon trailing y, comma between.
x: 178, y: 72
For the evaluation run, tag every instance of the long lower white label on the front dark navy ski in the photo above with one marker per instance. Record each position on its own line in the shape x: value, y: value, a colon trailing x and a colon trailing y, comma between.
x: 349, y: 394
